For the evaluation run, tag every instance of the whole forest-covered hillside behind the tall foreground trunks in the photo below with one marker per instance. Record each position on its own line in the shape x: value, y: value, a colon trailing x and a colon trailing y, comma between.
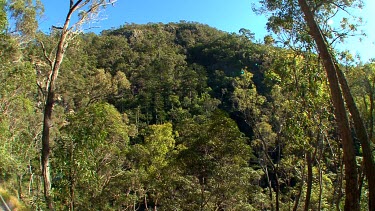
x: 177, y: 116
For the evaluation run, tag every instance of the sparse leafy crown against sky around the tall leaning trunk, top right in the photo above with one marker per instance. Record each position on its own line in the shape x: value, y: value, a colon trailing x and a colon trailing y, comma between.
x: 285, y: 20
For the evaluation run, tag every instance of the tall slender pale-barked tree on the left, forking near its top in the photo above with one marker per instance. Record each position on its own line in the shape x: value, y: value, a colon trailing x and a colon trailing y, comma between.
x: 87, y: 11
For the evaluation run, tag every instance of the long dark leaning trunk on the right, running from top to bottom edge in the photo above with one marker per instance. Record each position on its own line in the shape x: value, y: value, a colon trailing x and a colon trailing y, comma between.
x: 351, y: 175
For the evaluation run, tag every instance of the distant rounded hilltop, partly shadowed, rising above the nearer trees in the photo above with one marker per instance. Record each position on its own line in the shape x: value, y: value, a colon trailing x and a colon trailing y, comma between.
x: 186, y: 66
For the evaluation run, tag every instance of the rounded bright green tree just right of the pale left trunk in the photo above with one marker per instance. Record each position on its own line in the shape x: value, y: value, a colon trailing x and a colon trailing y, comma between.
x: 89, y: 155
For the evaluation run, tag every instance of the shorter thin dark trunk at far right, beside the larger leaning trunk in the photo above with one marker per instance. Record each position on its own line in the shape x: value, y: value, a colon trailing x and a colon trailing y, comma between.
x: 361, y: 133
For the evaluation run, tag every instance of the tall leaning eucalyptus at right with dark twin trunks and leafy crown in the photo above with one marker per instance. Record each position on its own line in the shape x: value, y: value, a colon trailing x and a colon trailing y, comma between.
x: 303, y: 23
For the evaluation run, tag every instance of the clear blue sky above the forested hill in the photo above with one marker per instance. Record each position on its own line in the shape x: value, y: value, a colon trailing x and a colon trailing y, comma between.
x: 226, y: 15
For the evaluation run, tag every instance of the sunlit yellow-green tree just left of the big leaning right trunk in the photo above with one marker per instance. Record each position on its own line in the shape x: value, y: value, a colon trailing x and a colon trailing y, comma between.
x: 299, y: 111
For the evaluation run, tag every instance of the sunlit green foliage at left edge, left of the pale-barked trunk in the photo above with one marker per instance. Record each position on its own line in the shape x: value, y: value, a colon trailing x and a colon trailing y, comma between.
x: 19, y: 127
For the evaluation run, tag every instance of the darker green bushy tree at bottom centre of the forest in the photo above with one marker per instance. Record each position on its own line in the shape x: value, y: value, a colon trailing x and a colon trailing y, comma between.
x: 214, y: 161
